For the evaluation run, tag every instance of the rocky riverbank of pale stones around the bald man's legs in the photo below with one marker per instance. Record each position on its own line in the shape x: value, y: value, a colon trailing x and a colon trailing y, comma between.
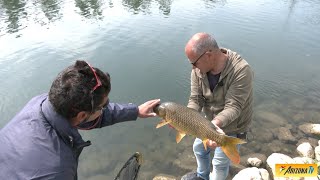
x: 258, y: 166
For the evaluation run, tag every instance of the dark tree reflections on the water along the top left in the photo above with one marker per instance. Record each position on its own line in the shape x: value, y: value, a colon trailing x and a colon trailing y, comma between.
x: 19, y: 13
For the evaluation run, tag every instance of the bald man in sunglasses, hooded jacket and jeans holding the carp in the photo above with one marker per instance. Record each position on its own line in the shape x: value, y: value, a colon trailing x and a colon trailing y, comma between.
x: 222, y: 88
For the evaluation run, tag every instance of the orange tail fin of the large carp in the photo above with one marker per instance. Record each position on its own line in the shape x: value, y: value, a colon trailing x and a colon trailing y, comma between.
x: 230, y: 148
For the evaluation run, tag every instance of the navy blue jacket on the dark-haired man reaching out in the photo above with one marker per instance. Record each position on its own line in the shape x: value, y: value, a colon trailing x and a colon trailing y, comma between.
x: 38, y: 143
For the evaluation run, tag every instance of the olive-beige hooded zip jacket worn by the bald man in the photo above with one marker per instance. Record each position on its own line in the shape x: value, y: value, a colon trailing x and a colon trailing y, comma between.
x: 231, y: 99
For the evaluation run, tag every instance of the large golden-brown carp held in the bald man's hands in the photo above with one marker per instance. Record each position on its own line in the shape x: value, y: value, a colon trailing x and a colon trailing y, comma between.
x: 191, y: 122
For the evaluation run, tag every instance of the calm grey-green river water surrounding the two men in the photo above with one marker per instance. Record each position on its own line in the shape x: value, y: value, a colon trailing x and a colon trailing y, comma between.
x: 141, y: 44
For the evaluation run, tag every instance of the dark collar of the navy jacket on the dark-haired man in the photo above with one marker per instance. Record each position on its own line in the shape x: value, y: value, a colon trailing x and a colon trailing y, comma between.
x: 69, y: 134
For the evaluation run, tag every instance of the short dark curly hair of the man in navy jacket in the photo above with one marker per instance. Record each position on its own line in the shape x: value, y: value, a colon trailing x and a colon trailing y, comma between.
x: 70, y: 92
